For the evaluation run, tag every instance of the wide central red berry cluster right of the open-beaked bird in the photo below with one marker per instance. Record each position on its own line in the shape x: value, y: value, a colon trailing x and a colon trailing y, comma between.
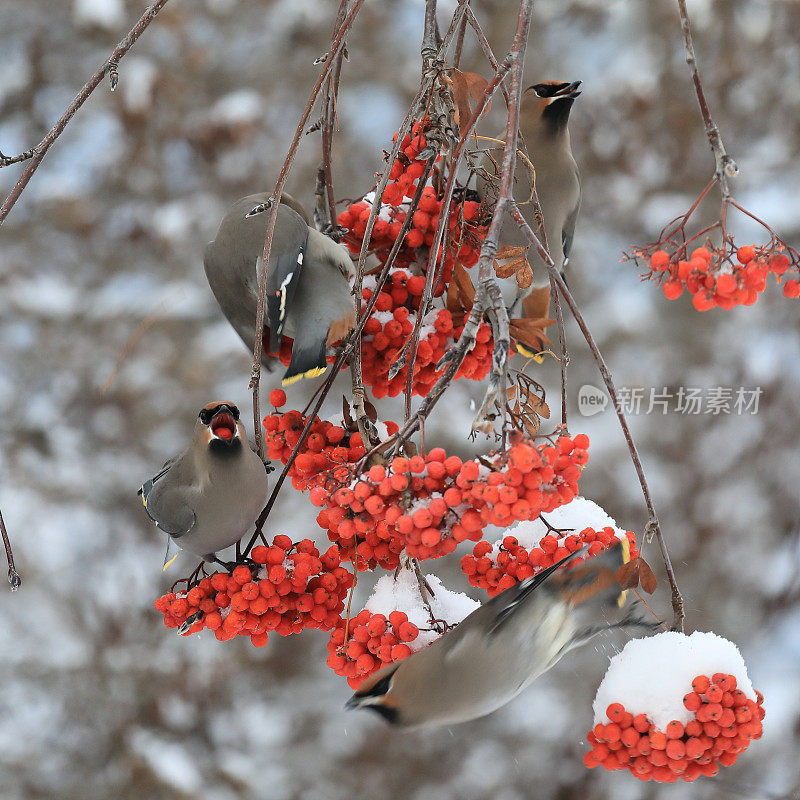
x: 427, y: 505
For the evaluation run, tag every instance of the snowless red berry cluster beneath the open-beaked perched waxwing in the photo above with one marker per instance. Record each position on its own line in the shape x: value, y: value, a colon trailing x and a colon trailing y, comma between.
x: 290, y: 587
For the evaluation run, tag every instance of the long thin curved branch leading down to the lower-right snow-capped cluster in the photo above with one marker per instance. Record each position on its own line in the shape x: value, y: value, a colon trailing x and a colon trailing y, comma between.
x: 653, y: 527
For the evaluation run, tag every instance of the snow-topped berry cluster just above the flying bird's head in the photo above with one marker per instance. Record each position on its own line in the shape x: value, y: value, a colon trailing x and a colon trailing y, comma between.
x: 394, y: 624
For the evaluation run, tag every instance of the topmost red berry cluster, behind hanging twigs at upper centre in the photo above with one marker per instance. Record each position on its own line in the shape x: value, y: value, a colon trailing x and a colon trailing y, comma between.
x: 465, y: 233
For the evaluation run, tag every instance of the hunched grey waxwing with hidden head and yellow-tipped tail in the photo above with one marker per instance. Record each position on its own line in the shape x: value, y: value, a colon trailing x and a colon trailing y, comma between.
x: 308, y: 295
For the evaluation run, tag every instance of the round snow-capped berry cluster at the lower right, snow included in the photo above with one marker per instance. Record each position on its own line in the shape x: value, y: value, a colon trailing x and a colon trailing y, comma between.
x: 658, y: 736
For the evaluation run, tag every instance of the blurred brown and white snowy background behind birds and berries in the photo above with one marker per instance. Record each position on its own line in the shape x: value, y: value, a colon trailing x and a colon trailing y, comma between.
x: 97, y: 698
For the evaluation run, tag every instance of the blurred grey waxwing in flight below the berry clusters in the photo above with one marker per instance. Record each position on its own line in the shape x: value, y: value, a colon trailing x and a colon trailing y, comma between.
x: 501, y: 647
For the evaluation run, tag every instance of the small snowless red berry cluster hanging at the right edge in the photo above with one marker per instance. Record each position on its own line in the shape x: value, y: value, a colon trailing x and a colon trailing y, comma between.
x: 715, y: 279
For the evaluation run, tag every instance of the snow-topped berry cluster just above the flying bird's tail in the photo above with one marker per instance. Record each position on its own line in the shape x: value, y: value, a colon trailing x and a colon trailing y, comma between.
x: 530, y: 547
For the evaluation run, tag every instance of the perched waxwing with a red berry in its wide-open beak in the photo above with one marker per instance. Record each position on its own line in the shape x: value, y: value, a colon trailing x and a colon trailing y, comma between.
x: 209, y: 497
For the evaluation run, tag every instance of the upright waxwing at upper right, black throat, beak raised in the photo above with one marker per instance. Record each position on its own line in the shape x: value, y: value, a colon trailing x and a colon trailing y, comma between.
x: 544, y: 114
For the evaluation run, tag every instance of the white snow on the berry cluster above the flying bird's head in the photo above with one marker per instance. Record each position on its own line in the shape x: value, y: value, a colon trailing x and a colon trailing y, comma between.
x: 403, y: 594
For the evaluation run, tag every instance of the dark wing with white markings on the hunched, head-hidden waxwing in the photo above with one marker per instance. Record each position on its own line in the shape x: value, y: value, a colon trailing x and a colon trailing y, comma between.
x: 285, y: 267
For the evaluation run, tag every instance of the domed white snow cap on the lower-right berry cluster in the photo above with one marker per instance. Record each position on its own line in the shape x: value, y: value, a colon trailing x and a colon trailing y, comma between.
x: 651, y: 676
